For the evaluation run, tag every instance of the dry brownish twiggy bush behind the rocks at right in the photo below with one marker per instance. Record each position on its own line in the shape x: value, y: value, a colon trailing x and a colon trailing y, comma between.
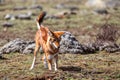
x: 108, y: 32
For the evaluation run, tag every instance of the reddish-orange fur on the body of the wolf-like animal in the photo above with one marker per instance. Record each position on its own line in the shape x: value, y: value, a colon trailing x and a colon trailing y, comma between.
x: 42, y: 39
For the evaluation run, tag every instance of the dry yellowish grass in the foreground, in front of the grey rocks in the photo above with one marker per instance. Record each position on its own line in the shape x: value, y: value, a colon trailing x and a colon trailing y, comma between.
x: 101, y: 66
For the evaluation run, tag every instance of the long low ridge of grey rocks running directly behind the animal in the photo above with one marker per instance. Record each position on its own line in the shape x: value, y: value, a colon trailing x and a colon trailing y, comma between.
x: 68, y: 44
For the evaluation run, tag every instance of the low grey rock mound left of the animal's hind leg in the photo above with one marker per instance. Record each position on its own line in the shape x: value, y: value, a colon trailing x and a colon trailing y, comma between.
x: 16, y: 45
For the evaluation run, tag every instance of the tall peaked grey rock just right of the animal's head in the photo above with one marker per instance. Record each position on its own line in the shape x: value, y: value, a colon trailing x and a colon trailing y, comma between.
x: 69, y: 44
